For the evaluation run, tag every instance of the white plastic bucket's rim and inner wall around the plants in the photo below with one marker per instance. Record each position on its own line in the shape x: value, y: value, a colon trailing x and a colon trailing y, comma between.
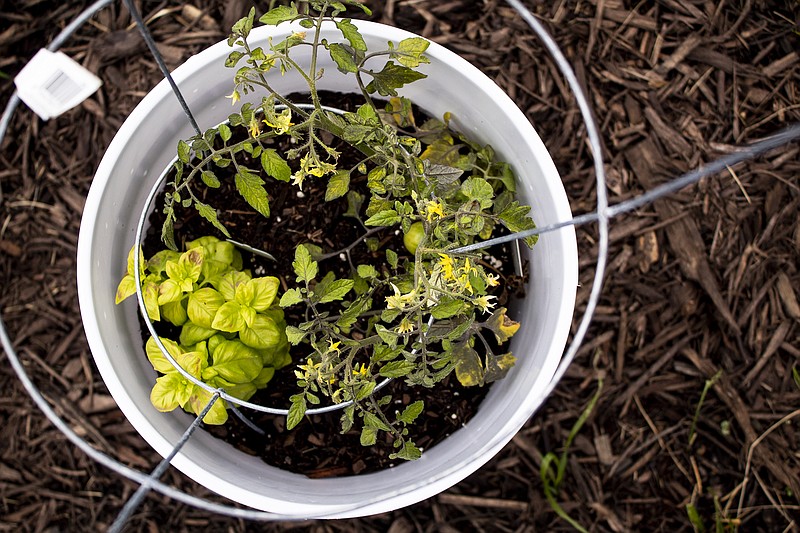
x: 143, y: 147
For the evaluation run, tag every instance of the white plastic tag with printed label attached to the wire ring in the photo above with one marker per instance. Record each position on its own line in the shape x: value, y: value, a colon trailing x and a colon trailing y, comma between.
x: 53, y: 83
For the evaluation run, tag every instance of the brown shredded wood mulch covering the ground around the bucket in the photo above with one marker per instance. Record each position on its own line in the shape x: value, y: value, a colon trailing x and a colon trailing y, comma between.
x: 701, y: 285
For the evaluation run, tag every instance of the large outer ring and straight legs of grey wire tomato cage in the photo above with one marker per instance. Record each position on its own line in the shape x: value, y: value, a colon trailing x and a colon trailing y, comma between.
x: 601, y: 216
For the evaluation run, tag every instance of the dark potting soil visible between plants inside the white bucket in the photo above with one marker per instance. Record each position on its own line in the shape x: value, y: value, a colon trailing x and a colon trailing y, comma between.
x: 316, y: 447
